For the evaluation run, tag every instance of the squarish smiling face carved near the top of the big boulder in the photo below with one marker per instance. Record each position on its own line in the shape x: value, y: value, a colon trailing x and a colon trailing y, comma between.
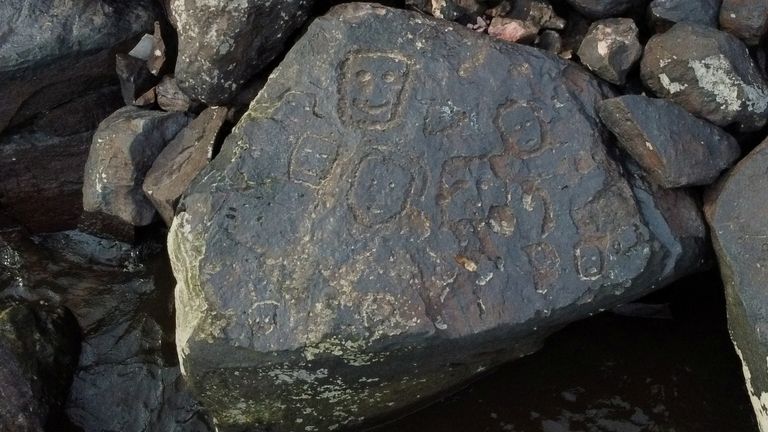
x: 372, y: 89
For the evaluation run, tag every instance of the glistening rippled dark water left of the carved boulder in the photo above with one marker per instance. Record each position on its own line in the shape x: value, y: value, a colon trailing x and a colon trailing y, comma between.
x: 127, y: 377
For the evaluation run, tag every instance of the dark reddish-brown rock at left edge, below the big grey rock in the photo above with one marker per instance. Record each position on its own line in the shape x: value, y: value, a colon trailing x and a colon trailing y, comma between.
x: 42, y: 164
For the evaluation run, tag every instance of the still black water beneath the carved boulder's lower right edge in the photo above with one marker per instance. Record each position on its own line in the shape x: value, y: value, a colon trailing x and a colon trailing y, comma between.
x: 614, y: 373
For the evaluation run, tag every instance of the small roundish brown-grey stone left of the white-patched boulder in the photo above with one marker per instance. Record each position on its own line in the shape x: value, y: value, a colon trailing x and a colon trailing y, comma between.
x: 611, y: 49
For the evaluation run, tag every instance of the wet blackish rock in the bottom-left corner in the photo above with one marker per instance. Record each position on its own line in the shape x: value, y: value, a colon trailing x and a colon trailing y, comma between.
x: 38, y: 354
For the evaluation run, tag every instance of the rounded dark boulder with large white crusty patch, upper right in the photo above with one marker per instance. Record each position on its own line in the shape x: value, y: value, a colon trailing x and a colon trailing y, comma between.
x: 709, y: 73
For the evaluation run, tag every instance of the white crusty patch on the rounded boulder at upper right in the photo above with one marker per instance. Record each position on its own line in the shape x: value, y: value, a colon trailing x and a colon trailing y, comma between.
x: 716, y: 75
